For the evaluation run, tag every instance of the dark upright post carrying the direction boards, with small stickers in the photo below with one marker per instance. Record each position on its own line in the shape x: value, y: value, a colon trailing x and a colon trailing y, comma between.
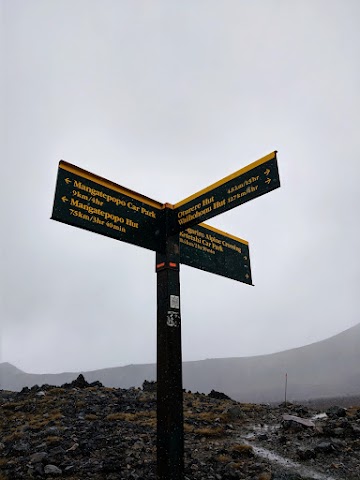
x: 170, y: 432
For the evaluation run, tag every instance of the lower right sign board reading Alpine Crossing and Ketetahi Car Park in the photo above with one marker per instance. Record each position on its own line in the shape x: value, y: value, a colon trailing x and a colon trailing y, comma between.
x: 214, y: 251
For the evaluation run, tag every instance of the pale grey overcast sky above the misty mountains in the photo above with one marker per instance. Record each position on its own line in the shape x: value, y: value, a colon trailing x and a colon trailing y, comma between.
x: 165, y: 98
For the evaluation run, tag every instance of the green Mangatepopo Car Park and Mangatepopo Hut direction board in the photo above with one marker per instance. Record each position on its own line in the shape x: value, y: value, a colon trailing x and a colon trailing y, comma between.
x: 88, y: 201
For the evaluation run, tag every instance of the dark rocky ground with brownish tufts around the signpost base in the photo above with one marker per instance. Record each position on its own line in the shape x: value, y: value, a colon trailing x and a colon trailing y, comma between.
x: 82, y: 431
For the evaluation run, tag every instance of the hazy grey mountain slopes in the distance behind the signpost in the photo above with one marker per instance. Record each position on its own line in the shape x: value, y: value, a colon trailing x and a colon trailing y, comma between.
x: 327, y: 368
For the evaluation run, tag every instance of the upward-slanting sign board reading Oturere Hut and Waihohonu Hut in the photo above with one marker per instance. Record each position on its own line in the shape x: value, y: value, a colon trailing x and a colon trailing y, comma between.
x: 242, y: 186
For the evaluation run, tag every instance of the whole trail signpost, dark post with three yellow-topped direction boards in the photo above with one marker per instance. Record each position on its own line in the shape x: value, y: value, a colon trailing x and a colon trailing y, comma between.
x: 175, y: 233
